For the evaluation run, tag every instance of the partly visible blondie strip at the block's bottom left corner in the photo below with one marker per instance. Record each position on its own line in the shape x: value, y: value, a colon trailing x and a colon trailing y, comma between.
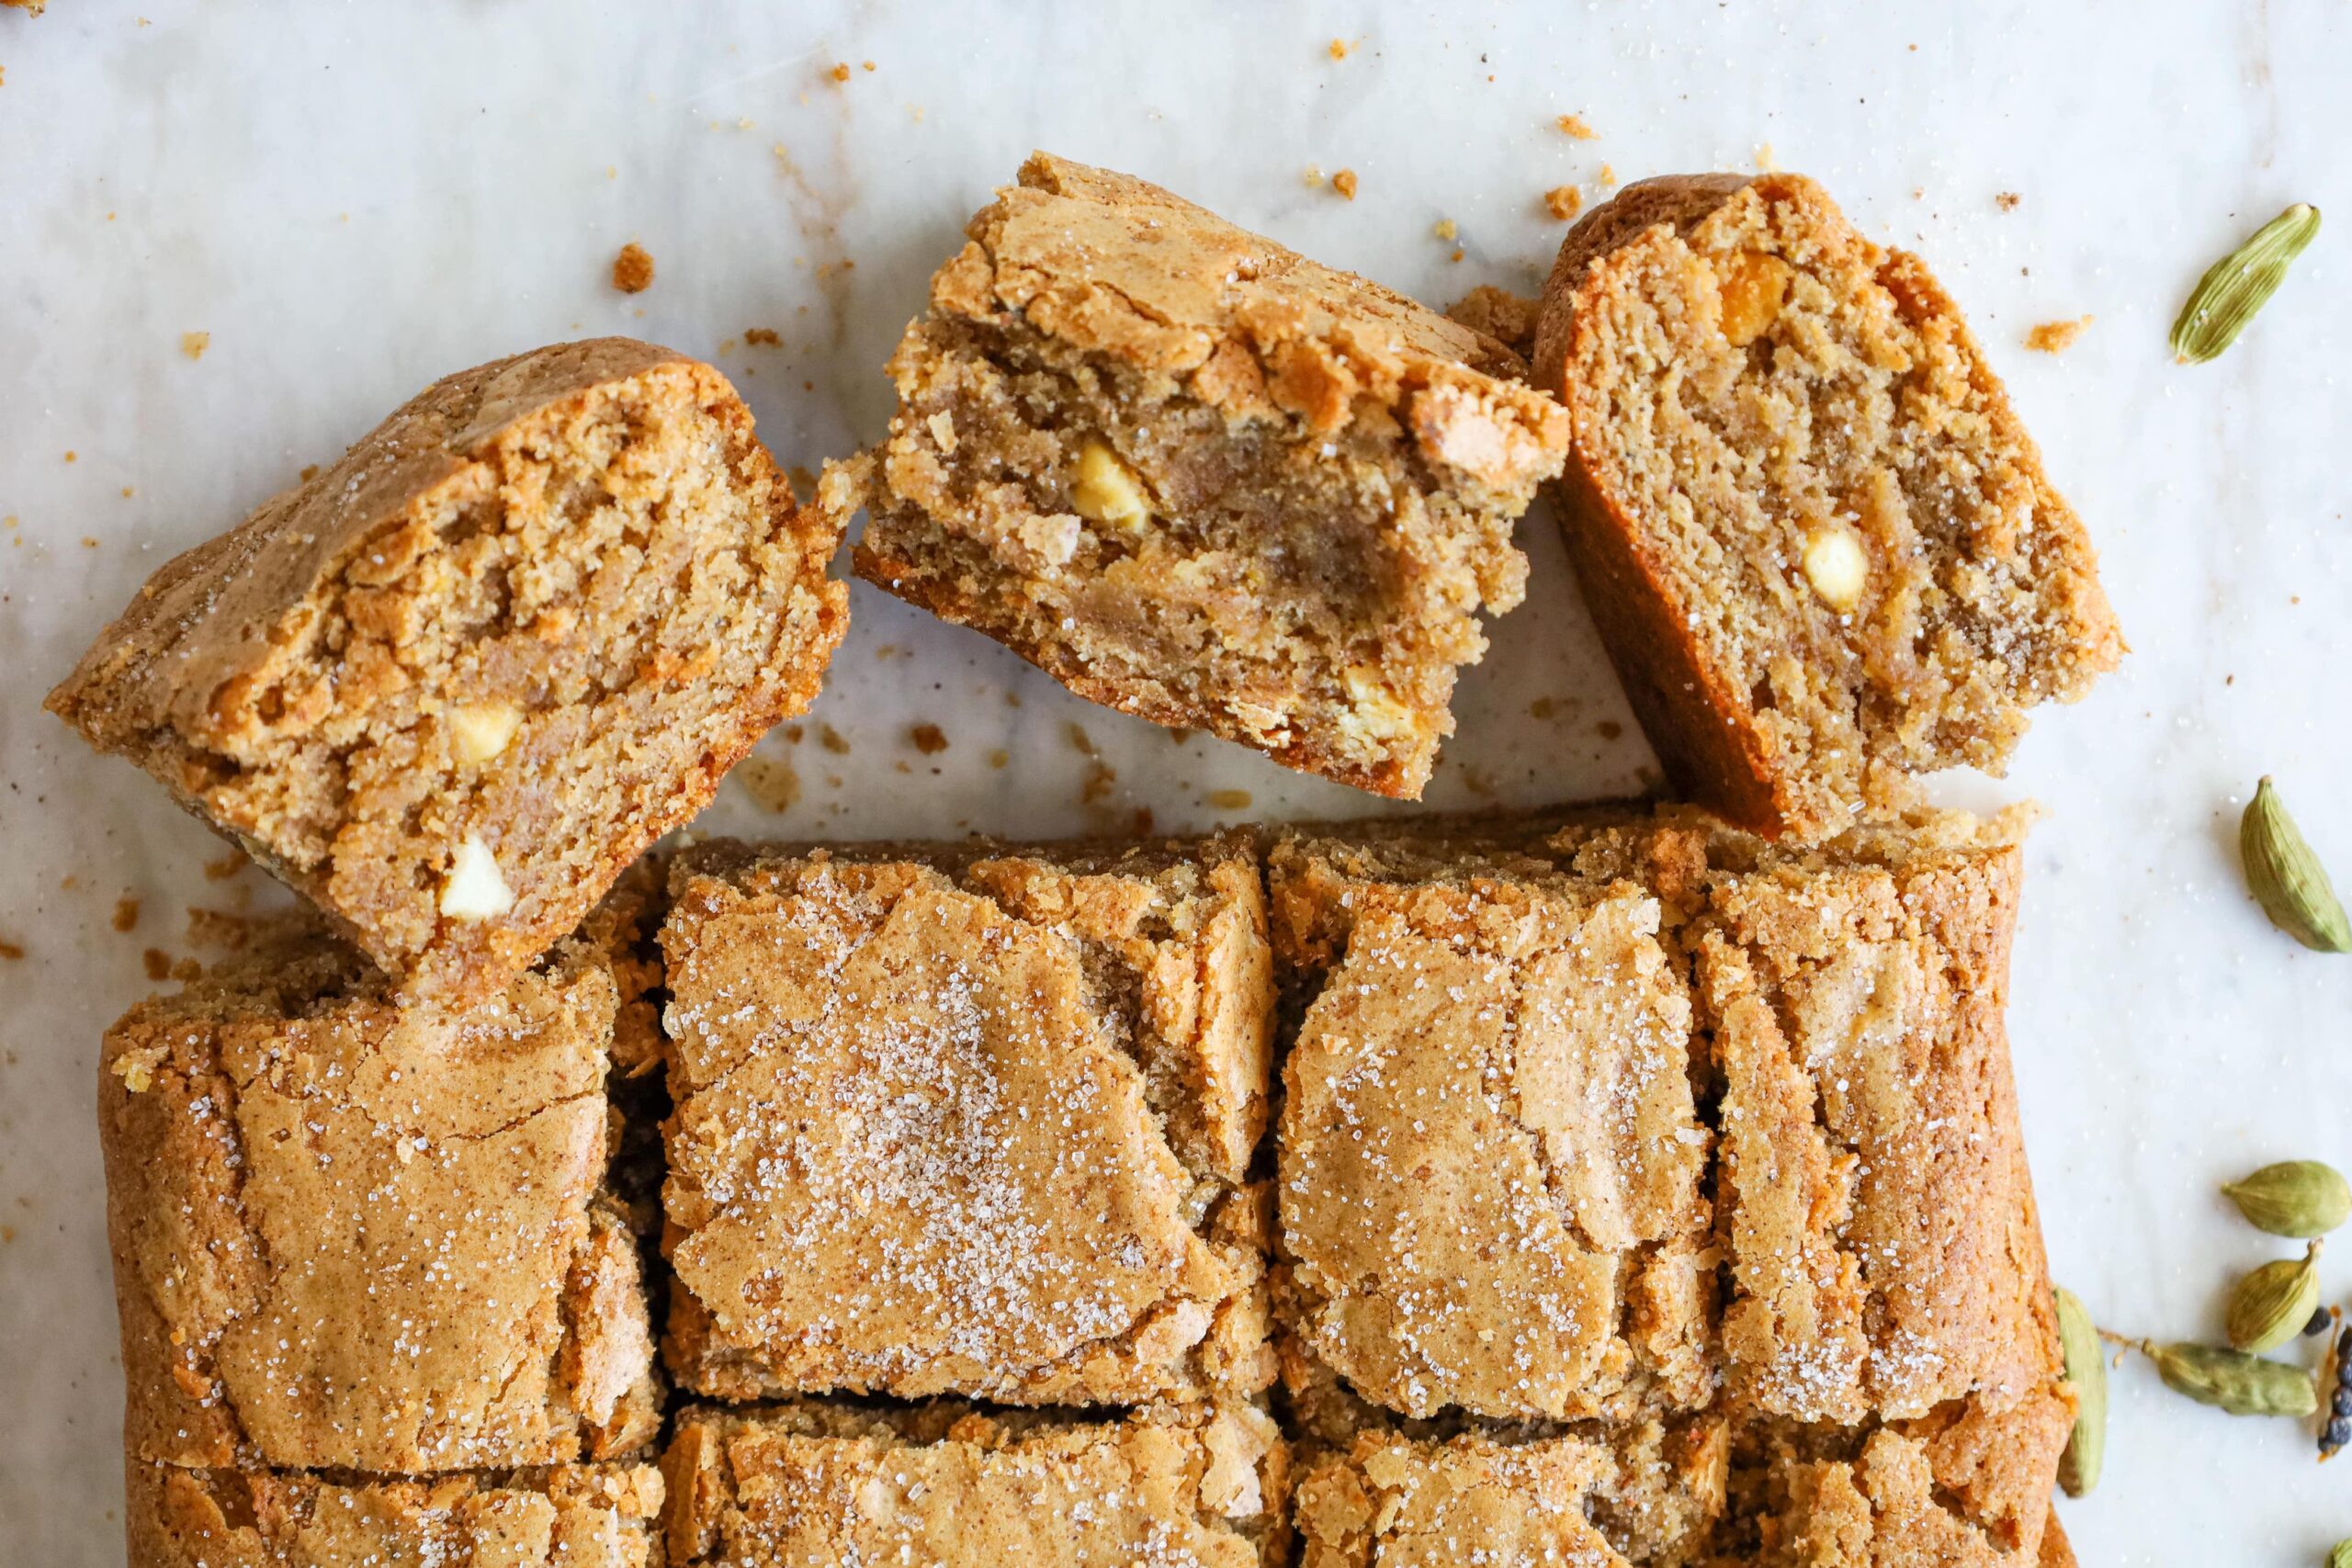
x: 566, y: 1517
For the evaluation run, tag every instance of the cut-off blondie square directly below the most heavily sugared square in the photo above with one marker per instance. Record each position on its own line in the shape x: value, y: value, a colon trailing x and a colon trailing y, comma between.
x: 954, y: 1487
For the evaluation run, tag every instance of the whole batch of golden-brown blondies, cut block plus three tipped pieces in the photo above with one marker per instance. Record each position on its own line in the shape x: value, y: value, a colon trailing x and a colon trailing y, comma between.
x: 1617, y: 1186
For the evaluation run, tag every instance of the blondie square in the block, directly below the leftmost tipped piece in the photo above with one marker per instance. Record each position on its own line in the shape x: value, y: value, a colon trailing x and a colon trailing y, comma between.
x: 359, y: 1238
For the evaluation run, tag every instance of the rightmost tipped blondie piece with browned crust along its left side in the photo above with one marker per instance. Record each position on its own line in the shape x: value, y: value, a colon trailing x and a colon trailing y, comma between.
x: 1815, y: 535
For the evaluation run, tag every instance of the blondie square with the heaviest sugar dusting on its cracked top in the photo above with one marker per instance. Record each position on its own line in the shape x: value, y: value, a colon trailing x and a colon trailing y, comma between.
x: 968, y: 1120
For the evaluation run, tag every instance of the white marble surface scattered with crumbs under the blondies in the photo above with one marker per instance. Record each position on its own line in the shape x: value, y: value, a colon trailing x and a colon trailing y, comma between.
x: 356, y: 199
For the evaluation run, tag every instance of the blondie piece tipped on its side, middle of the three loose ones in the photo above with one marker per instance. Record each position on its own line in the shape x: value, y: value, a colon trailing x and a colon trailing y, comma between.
x: 1201, y: 478
